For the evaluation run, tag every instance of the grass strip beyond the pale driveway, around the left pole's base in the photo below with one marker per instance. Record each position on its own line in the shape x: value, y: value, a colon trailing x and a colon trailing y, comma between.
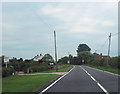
x: 61, y: 68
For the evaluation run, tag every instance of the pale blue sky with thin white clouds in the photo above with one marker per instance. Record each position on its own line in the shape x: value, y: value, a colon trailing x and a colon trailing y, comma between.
x: 28, y: 27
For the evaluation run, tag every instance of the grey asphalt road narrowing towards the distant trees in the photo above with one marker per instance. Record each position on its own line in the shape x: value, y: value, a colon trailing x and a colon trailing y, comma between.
x: 83, y: 79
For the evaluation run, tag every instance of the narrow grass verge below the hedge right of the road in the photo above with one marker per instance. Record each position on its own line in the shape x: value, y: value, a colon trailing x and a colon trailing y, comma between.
x: 109, y: 69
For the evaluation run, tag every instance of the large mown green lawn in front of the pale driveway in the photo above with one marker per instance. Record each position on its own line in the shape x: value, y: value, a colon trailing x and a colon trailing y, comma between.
x: 26, y: 83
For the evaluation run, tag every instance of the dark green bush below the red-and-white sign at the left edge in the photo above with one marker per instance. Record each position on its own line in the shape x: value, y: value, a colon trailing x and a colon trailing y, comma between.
x: 7, y: 71
